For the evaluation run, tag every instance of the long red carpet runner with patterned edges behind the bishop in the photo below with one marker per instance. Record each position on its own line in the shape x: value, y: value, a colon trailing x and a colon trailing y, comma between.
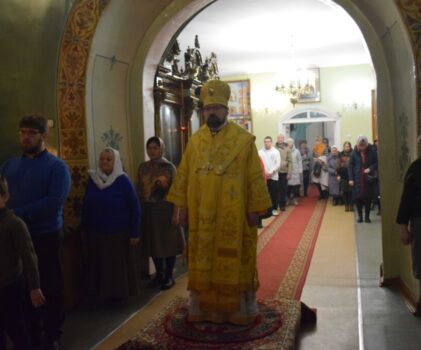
x: 285, y: 249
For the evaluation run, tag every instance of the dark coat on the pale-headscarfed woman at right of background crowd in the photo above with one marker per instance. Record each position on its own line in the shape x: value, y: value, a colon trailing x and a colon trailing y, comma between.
x: 364, y: 184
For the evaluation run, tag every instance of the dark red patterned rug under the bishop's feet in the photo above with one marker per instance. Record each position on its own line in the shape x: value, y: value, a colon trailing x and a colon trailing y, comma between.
x: 275, y: 328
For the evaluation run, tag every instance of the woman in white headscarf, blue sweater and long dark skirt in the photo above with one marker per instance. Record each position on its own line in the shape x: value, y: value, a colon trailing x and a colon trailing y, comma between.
x: 111, y: 221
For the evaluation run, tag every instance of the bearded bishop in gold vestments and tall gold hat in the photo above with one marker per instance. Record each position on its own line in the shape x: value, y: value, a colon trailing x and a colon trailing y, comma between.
x: 220, y: 187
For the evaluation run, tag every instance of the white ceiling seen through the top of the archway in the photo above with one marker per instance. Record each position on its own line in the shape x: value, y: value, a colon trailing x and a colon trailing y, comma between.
x: 256, y: 36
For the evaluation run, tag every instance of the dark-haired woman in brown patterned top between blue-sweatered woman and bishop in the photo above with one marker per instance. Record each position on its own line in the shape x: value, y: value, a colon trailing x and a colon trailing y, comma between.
x: 163, y: 241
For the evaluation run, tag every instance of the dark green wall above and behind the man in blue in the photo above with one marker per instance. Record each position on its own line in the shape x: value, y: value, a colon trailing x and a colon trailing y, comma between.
x: 30, y: 39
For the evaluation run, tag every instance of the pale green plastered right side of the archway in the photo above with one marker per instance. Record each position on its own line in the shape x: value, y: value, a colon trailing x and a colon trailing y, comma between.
x: 393, y: 57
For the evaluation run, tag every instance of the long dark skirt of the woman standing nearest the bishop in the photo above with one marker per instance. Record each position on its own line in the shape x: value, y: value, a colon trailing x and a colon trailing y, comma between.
x: 160, y: 237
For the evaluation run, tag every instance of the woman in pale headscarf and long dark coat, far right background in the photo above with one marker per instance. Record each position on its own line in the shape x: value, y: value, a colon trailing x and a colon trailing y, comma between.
x: 362, y: 174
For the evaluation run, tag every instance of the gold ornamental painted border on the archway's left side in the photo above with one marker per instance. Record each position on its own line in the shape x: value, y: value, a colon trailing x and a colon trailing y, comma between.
x: 71, y: 85
